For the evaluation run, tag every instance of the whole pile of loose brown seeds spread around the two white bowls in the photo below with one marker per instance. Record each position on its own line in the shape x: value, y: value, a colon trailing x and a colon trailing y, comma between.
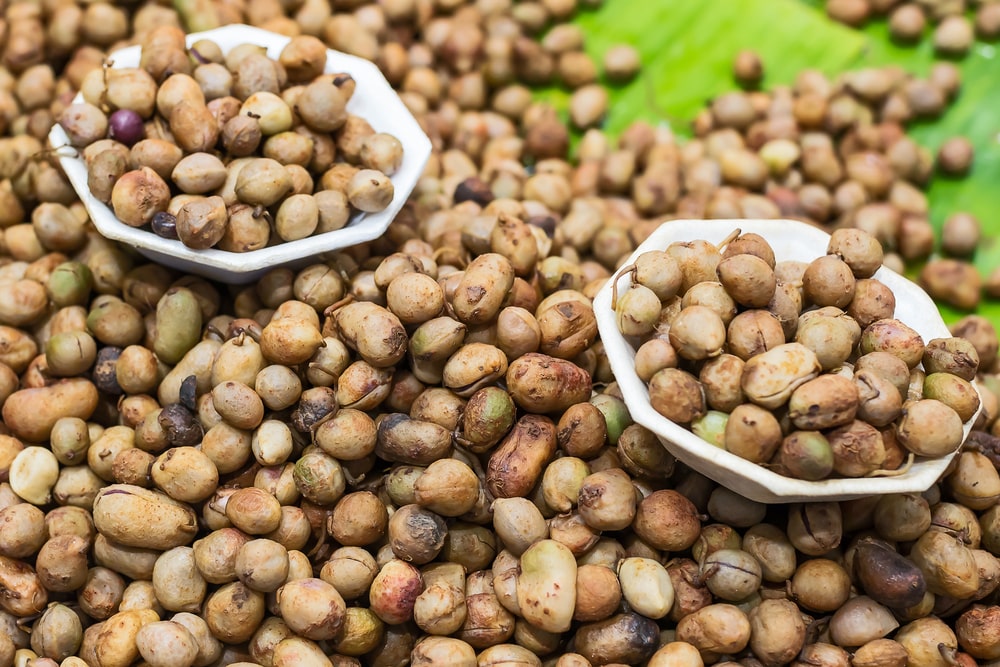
x: 415, y: 452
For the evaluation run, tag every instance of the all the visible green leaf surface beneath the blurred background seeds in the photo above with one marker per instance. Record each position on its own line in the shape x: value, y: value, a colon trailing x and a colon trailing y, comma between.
x: 687, y: 49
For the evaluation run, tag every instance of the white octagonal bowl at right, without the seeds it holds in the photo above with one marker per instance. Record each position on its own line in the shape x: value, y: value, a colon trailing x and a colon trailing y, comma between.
x: 790, y: 240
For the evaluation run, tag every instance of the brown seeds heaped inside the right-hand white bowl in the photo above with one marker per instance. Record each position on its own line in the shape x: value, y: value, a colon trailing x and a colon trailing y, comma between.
x: 799, y: 367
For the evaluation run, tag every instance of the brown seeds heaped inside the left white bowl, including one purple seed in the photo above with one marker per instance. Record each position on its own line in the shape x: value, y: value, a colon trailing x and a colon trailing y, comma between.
x: 234, y: 153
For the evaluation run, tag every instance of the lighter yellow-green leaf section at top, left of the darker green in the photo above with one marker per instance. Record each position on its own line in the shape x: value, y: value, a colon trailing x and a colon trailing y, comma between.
x: 688, y: 47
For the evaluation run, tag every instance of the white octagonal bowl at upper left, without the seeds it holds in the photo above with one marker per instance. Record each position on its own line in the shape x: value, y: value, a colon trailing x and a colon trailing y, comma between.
x: 374, y: 100
